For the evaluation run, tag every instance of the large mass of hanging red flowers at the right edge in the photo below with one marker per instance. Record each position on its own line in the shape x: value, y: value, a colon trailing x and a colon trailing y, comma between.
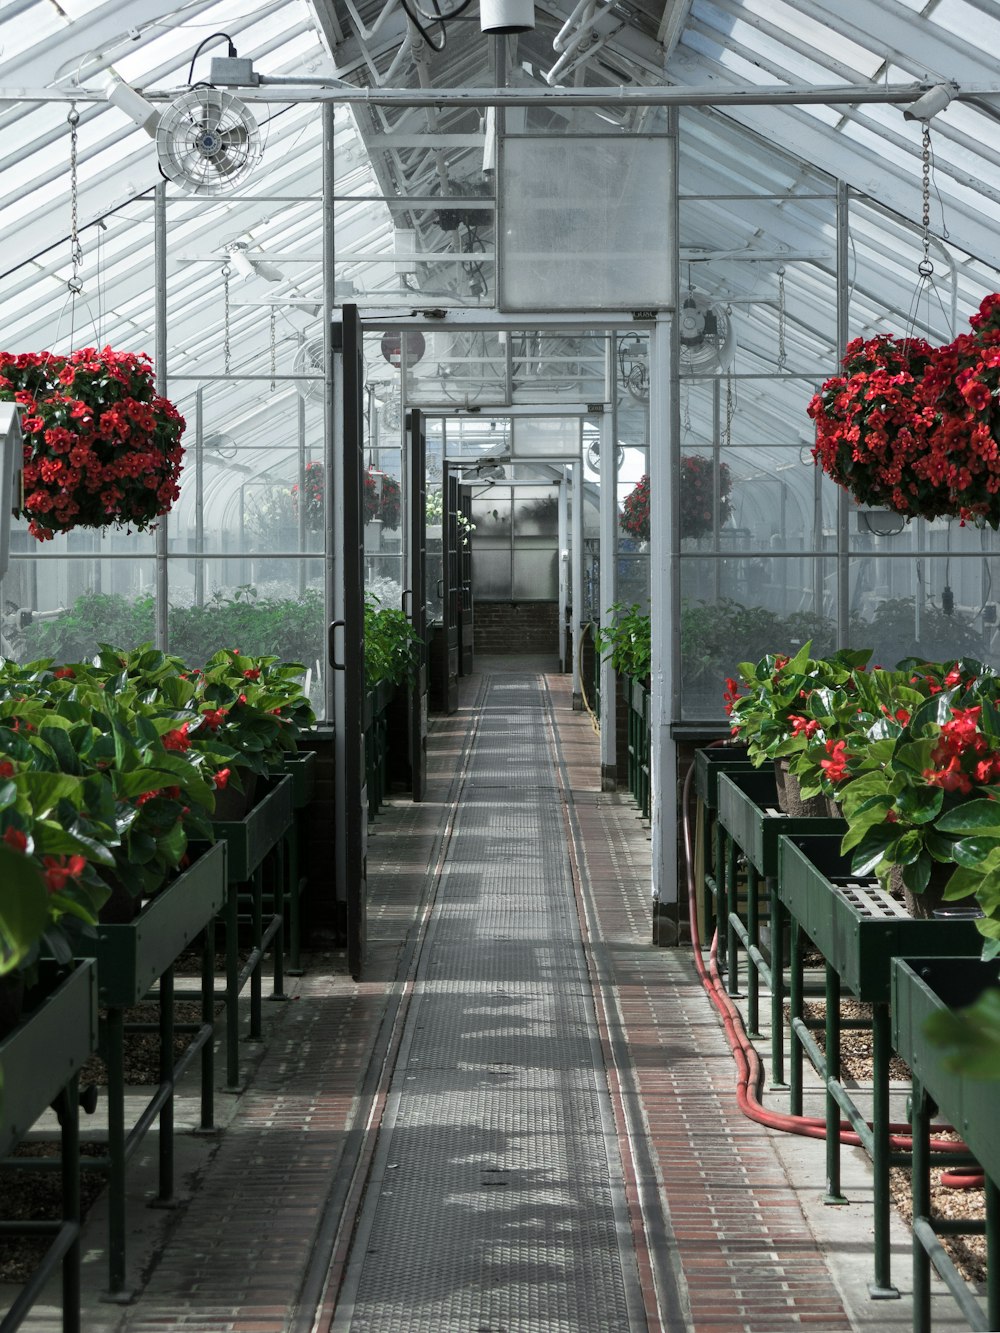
x: 915, y: 429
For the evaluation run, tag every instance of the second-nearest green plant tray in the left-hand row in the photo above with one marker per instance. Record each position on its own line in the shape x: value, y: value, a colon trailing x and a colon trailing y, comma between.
x: 131, y: 958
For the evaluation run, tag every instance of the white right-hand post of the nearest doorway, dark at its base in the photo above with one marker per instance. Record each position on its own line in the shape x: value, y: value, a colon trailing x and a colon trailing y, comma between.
x: 663, y: 573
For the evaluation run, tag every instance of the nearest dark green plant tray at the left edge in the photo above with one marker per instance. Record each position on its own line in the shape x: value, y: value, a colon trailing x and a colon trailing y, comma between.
x: 45, y: 1052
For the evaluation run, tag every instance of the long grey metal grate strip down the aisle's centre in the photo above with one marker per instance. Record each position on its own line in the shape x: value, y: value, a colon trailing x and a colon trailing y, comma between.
x: 497, y: 1203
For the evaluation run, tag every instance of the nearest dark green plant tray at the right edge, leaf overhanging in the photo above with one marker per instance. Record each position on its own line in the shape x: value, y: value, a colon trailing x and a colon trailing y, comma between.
x: 922, y: 987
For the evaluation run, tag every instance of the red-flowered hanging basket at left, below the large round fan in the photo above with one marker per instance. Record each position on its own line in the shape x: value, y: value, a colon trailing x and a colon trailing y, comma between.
x: 102, y: 447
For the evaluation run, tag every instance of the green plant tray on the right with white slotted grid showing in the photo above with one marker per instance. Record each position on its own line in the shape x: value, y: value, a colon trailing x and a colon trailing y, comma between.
x: 855, y: 924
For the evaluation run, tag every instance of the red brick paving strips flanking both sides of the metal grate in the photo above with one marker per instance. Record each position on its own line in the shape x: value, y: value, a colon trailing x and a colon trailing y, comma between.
x: 250, y: 1250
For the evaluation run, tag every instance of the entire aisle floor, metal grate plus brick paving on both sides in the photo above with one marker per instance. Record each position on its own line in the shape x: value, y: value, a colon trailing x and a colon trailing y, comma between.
x: 525, y: 1118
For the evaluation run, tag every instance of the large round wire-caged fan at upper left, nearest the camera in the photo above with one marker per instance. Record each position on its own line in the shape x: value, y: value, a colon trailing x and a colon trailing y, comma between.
x: 207, y: 142
